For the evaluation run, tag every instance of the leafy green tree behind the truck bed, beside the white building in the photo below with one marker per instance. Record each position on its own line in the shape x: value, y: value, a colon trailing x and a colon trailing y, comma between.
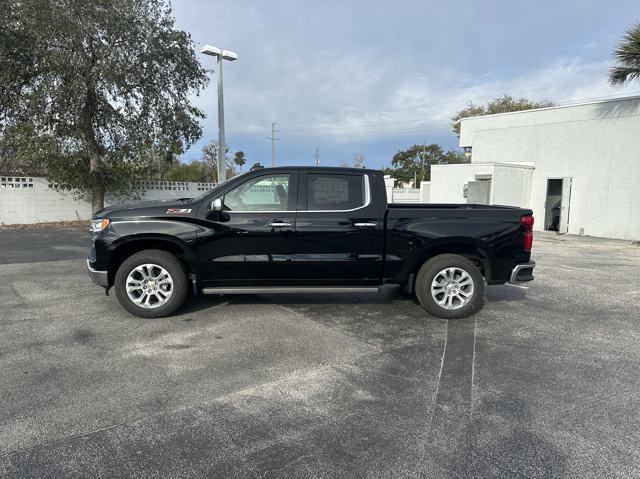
x: 416, y: 161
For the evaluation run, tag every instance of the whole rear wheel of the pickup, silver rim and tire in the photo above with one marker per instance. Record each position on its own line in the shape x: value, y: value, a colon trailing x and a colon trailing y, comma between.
x: 450, y: 286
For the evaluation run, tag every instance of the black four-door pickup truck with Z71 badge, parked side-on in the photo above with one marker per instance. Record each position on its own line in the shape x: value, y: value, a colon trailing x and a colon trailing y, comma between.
x: 311, y: 230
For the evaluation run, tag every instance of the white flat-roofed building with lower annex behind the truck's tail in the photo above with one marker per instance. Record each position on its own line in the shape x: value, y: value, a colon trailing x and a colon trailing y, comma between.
x: 576, y: 166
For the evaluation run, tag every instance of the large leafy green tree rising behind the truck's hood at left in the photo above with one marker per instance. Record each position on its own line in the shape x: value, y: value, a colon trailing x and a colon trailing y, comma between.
x: 97, y: 85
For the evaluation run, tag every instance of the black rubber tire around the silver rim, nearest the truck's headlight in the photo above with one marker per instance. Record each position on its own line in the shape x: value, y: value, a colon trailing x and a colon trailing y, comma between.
x: 171, y: 264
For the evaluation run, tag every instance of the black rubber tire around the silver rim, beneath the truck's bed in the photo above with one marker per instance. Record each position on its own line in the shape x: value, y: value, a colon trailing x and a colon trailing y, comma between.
x: 431, y: 269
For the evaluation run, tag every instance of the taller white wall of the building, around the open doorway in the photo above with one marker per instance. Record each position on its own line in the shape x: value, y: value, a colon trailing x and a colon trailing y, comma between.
x: 595, y: 144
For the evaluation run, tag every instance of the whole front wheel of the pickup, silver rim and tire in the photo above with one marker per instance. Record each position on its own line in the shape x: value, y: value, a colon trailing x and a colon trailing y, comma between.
x: 151, y: 284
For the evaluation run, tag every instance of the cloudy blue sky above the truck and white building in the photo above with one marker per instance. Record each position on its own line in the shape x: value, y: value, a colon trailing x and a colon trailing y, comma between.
x: 374, y: 77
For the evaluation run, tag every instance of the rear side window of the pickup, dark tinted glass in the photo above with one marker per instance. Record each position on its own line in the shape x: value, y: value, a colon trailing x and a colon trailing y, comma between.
x: 334, y: 191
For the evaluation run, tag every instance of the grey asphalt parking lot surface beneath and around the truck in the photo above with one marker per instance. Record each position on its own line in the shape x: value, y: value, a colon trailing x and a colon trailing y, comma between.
x: 543, y: 382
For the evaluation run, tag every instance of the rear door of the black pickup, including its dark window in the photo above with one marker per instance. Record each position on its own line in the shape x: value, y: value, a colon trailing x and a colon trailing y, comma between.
x: 339, y: 230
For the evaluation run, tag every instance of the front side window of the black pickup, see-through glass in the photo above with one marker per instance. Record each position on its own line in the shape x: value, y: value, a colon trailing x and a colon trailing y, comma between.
x: 264, y: 193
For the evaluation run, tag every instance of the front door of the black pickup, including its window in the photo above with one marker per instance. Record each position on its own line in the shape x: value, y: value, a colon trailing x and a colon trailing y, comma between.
x: 251, y: 242
